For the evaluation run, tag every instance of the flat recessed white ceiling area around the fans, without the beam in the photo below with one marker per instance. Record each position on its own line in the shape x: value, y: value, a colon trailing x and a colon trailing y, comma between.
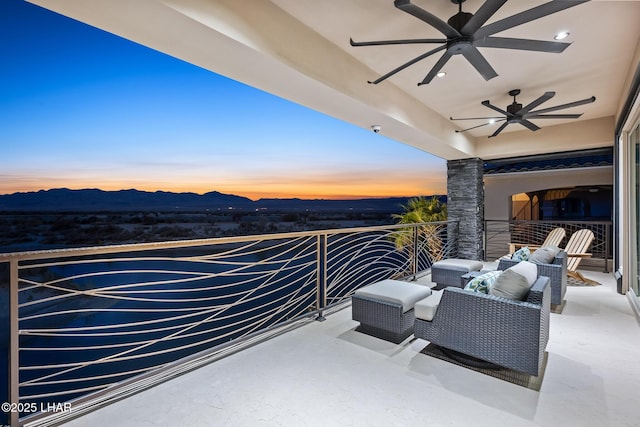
x: 595, y: 64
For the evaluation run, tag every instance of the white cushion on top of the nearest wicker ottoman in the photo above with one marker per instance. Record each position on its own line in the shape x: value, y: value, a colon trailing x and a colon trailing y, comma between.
x: 395, y: 291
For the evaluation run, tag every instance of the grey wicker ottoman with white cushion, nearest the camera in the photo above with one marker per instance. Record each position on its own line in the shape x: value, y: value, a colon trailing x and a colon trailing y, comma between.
x: 385, y: 309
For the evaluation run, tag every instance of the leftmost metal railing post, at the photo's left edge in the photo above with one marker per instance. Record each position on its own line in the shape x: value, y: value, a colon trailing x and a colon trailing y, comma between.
x: 14, y: 353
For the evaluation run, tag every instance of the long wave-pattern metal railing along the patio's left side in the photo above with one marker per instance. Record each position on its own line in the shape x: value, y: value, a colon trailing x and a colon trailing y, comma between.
x: 88, y: 320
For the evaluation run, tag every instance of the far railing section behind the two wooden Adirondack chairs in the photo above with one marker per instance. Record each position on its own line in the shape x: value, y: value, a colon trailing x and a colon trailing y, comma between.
x: 498, y: 235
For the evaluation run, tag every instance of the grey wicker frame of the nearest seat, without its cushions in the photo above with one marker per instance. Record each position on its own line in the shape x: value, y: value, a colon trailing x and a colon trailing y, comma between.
x: 504, y: 332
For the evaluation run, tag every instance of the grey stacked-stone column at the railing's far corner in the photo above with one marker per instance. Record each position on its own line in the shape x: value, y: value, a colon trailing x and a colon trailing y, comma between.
x: 465, y: 202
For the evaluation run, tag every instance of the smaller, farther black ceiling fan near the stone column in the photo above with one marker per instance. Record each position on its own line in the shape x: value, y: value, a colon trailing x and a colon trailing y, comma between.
x: 516, y: 113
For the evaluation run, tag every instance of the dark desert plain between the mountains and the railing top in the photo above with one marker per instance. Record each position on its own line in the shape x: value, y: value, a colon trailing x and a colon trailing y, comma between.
x: 55, y: 230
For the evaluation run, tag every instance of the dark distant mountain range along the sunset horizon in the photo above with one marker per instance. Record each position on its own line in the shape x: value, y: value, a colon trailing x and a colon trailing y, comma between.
x: 95, y: 200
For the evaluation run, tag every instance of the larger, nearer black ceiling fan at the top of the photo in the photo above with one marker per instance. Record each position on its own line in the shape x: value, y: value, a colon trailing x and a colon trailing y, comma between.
x: 465, y: 33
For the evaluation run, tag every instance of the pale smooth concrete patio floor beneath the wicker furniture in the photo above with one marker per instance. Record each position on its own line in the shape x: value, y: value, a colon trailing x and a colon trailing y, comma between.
x: 327, y: 374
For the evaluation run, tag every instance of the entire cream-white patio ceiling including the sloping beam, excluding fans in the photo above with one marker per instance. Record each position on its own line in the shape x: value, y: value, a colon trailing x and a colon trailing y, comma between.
x: 299, y: 49
